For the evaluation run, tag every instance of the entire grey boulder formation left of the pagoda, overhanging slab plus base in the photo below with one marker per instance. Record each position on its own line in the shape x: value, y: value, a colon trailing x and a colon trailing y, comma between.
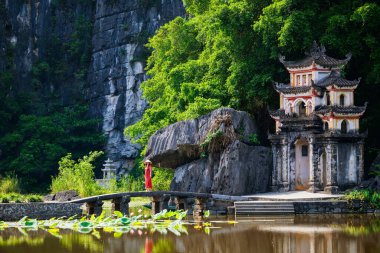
x: 240, y: 168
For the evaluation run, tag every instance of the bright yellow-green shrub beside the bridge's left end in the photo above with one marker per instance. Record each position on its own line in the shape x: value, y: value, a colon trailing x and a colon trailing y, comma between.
x: 77, y: 176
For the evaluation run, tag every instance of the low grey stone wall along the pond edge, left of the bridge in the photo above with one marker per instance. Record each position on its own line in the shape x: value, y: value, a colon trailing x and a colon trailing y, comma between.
x: 42, y: 211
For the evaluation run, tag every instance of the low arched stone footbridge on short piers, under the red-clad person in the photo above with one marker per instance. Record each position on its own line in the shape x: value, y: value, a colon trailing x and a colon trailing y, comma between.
x: 160, y: 200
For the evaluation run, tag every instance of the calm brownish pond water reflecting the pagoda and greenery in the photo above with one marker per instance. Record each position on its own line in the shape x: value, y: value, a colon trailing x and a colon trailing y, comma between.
x: 281, y: 234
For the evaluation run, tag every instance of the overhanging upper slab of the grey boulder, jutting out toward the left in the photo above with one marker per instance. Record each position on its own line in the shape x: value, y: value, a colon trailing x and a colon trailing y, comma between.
x: 178, y: 144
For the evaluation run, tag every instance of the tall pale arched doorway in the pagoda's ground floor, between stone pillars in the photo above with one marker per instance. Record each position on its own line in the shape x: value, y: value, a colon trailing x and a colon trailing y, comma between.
x: 302, y: 164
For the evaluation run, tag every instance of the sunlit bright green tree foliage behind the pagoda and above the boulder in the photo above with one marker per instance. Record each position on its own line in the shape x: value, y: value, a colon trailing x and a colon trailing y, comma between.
x: 225, y: 53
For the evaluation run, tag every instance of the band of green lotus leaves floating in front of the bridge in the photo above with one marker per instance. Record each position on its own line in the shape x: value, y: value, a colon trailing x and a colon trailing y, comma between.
x: 118, y: 224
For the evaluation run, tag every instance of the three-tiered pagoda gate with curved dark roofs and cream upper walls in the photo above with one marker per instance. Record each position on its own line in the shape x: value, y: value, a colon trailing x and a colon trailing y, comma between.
x: 317, y: 145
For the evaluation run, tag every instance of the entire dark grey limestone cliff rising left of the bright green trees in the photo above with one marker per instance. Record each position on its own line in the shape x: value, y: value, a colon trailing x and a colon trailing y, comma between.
x: 34, y: 32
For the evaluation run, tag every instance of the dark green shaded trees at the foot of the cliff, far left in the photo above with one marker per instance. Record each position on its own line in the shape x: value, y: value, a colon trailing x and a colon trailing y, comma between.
x: 34, y: 147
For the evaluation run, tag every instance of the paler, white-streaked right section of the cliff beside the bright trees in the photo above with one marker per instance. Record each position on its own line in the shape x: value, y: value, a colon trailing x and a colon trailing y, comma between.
x: 121, y: 30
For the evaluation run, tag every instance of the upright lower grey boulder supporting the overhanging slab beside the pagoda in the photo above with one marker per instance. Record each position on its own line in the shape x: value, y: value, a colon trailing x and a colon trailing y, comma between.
x: 240, y: 169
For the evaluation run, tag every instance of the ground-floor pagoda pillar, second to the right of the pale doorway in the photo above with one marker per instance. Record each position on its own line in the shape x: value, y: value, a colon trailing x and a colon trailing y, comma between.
x: 332, y: 168
